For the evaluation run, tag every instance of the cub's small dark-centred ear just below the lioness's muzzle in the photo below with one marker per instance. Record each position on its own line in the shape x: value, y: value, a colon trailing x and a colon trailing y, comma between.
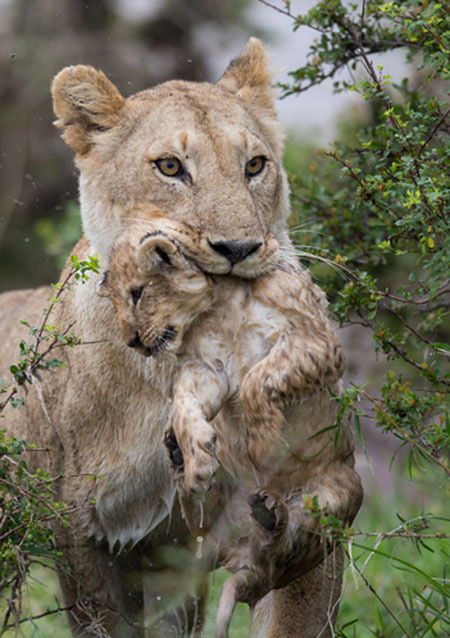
x: 156, y: 252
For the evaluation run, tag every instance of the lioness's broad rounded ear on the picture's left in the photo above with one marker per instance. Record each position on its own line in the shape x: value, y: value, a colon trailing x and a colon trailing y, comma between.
x: 84, y: 100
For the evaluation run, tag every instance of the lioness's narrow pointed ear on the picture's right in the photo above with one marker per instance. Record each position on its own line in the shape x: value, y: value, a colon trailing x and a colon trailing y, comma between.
x: 249, y: 76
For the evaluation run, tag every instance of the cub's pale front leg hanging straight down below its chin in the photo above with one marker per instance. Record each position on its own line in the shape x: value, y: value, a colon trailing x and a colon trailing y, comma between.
x: 200, y: 393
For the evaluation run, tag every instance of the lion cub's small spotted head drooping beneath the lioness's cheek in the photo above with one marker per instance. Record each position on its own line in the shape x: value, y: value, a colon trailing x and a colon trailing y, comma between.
x: 156, y: 289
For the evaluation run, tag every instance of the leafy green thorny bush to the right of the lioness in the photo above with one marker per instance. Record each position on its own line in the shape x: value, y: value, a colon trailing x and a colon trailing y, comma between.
x: 371, y: 217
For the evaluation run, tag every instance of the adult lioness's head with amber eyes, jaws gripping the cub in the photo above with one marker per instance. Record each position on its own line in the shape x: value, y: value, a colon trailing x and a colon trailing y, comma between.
x: 211, y: 154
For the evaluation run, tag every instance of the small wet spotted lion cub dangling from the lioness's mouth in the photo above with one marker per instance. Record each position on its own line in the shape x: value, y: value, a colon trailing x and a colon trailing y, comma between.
x: 254, y: 361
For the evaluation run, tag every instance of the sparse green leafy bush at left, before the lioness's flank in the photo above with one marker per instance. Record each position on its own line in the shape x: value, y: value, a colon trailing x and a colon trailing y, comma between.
x: 27, y: 502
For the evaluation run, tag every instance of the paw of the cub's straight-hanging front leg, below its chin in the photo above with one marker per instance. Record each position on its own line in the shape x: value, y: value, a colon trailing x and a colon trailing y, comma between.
x: 200, y: 462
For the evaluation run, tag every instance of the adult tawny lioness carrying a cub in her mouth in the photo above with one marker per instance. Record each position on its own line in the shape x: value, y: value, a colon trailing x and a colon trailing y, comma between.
x: 211, y: 156
